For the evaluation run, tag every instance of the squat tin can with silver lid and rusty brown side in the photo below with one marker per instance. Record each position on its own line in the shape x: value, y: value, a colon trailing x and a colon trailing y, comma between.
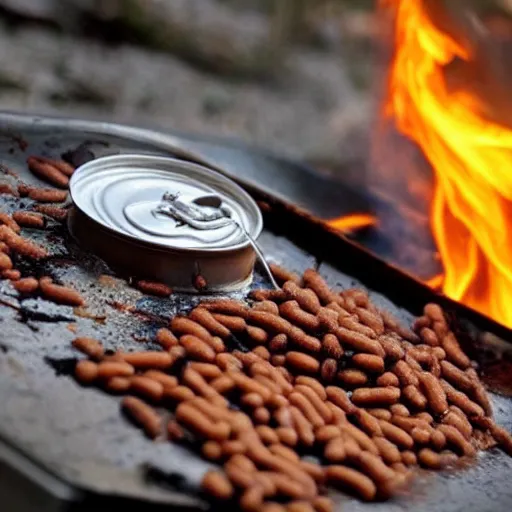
x: 166, y: 220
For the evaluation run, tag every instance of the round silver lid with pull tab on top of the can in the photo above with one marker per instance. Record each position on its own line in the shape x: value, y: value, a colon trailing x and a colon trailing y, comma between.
x: 169, y: 203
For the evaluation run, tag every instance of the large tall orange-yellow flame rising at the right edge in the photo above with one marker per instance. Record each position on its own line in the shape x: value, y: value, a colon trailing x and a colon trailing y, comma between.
x: 439, y: 96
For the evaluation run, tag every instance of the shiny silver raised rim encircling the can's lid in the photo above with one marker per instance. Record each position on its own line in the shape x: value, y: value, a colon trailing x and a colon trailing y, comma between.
x: 241, y: 196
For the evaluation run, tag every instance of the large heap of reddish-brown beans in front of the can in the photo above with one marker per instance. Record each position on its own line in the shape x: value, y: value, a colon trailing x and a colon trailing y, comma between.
x: 333, y: 392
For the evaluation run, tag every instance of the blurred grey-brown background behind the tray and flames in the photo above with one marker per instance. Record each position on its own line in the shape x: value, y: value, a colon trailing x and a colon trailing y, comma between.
x: 296, y: 76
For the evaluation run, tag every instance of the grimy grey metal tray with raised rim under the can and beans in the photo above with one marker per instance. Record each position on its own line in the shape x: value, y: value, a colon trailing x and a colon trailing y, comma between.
x: 64, y: 447
